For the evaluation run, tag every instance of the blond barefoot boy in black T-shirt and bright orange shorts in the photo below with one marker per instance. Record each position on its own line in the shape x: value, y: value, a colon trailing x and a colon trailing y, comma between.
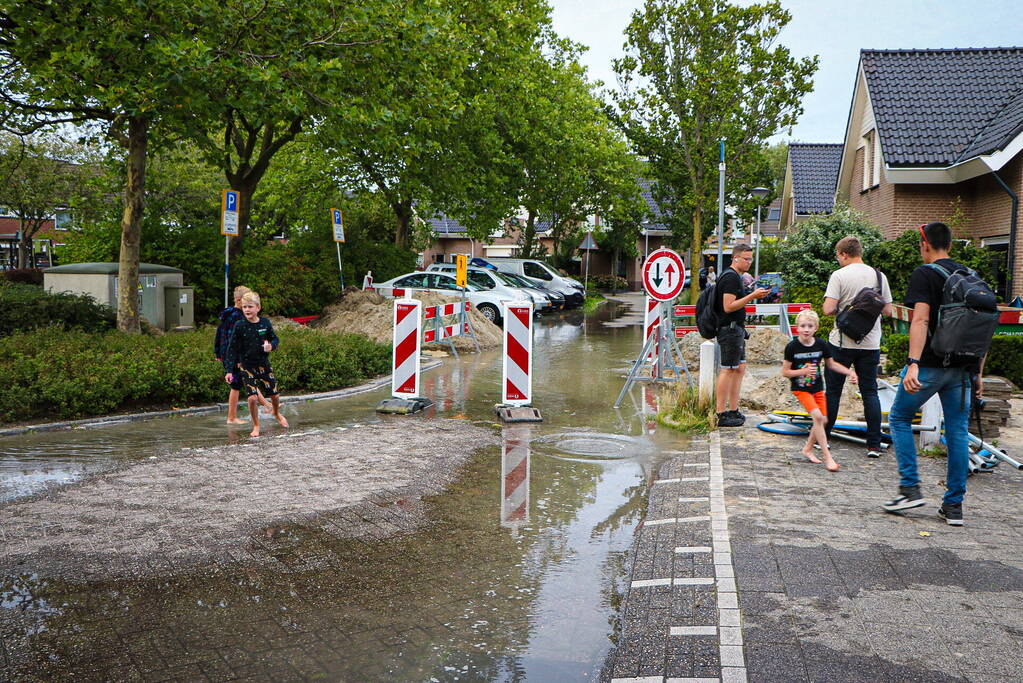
x: 804, y: 360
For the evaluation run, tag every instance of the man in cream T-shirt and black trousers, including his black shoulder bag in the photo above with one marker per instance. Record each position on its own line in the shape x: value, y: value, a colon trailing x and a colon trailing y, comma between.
x: 859, y: 296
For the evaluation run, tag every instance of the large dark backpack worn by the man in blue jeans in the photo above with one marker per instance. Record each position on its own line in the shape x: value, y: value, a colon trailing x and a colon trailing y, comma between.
x: 967, y: 317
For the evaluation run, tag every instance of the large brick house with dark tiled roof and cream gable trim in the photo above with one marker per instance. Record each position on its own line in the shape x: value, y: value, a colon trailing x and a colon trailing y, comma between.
x: 937, y: 135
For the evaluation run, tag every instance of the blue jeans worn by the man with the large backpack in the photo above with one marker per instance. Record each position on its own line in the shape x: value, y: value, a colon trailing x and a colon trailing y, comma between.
x: 953, y: 387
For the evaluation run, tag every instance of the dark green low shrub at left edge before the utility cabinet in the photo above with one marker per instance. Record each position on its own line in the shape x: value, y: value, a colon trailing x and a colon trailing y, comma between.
x: 25, y: 307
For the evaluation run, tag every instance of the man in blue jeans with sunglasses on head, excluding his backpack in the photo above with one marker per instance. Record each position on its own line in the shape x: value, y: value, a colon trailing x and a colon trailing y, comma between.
x: 927, y: 374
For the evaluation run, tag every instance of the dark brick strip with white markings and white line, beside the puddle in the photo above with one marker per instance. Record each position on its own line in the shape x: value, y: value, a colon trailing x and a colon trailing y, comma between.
x: 681, y: 617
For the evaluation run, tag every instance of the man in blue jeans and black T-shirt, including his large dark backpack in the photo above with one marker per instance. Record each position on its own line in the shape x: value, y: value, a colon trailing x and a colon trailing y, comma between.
x: 954, y: 318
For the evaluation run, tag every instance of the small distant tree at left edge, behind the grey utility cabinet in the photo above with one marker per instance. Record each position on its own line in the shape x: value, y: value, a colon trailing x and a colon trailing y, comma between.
x: 37, y: 177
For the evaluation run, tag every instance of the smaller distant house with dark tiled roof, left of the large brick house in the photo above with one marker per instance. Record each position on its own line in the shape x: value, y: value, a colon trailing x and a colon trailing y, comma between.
x: 811, y: 178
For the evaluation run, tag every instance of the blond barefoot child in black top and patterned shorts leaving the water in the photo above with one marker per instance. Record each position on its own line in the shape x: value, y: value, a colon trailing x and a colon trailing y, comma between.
x: 249, y: 356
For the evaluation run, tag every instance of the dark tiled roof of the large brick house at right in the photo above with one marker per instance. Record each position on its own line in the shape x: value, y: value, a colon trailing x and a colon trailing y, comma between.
x: 940, y: 108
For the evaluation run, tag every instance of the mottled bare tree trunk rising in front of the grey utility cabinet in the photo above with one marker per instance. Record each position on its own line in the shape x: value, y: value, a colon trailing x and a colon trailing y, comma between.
x: 131, y: 227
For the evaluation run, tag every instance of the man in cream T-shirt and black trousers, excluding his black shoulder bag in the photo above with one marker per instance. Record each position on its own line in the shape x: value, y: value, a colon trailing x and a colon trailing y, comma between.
x: 864, y: 356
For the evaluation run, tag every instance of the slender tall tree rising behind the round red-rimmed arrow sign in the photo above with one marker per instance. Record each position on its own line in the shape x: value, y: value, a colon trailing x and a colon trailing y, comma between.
x: 698, y: 72
